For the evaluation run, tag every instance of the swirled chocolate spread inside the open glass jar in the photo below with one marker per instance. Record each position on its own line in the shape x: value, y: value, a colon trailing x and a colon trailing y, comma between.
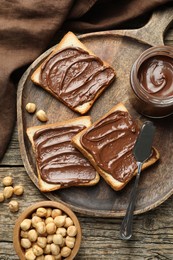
x: 156, y: 76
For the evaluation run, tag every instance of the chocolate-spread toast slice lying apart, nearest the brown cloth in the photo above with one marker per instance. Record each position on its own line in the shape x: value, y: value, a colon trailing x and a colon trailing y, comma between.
x: 73, y: 74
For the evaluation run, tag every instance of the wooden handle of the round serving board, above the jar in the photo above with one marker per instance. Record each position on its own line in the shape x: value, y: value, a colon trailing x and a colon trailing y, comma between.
x: 153, y: 32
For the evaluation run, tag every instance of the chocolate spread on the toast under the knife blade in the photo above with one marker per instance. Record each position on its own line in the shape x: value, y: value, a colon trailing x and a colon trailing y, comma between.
x: 110, y: 142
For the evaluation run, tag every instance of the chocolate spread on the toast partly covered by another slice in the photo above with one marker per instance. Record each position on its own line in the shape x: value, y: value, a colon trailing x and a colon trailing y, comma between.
x: 58, y: 160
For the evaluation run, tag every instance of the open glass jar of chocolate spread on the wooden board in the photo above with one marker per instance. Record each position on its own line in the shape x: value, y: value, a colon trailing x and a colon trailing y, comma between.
x: 152, y: 82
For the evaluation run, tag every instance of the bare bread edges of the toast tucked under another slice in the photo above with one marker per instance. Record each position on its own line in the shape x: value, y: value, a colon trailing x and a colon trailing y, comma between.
x: 47, y: 187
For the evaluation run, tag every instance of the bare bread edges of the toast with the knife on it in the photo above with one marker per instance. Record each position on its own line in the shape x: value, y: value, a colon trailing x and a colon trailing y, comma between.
x: 115, y: 184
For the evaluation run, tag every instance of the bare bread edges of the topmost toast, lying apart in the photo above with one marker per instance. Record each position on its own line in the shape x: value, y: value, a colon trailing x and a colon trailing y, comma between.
x: 69, y: 40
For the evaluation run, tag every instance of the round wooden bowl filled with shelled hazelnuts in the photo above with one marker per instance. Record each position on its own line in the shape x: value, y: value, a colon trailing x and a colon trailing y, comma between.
x: 47, y: 230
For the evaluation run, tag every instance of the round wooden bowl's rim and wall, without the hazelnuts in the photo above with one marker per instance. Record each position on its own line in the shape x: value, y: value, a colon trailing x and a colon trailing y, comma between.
x: 27, y: 214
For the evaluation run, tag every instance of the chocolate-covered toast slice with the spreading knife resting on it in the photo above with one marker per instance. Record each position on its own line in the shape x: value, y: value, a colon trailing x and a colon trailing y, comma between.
x: 108, y: 144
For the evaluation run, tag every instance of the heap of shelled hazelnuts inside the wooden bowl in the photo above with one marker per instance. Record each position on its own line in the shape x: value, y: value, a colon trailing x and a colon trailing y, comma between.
x: 48, y: 234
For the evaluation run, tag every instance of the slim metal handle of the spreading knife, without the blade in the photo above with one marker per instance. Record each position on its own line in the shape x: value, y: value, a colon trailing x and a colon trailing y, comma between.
x: 126, y: 226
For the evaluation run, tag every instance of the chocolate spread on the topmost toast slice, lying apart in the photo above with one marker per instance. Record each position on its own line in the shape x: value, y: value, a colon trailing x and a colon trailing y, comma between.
x: 75, y: 76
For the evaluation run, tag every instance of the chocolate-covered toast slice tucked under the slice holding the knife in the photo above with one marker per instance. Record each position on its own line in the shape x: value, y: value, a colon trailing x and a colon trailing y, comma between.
x: 59, y: 164
